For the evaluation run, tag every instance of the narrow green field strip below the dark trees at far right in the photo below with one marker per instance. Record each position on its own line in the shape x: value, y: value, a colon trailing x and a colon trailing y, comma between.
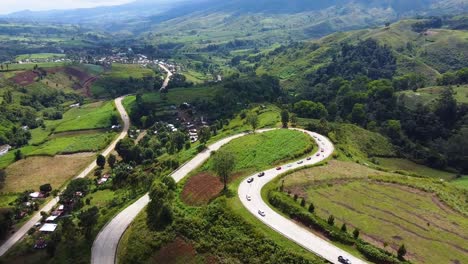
x: 409, y: 166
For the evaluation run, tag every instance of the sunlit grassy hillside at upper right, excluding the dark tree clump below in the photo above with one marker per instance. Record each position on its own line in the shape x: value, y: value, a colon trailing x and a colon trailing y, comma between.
x: 437, y: 52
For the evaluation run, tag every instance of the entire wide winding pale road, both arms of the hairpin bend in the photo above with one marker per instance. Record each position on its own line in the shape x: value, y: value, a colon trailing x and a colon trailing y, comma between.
x: 105, y: 246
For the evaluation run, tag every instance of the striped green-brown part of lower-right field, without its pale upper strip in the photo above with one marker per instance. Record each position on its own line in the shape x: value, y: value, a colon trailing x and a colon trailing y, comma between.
x: 393, y: 214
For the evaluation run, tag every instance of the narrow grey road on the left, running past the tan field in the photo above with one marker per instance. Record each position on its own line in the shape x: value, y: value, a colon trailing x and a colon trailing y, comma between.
x: 36, y: 217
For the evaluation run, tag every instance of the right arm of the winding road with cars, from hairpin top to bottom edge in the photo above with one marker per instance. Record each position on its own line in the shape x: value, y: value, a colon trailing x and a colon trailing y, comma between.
x: 282, y: 224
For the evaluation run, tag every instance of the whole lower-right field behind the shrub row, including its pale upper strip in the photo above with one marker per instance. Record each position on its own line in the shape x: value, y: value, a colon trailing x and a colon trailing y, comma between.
x: 387, y: 214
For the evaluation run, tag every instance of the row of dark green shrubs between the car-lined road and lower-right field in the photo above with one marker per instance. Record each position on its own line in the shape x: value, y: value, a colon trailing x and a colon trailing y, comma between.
x: 287, y: 205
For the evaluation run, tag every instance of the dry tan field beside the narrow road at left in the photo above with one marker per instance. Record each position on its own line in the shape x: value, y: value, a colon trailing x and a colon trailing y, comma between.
x: 32, y: 172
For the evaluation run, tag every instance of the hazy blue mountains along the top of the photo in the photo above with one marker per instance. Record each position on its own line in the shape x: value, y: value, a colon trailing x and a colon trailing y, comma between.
x: 154, y: 15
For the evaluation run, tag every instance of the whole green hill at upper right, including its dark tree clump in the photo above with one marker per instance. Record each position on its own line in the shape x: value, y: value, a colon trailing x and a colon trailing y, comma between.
x: 425, y: 47
